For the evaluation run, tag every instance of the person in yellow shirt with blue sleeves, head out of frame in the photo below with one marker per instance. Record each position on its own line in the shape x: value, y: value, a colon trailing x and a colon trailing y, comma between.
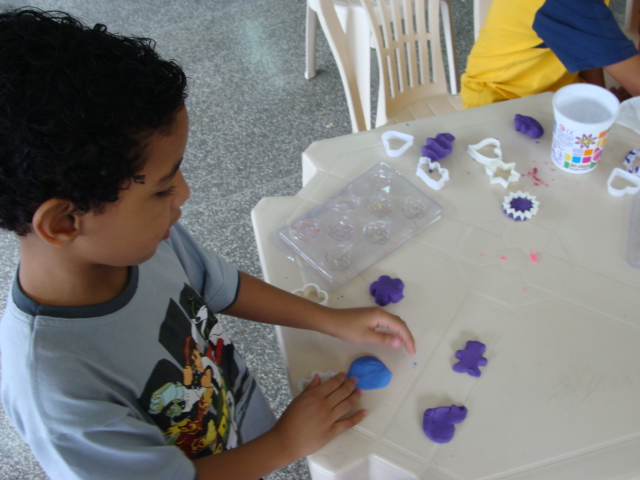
x: 533, y: 46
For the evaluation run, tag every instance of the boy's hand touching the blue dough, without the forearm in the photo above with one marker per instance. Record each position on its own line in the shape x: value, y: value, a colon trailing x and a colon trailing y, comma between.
x: 318, y: 414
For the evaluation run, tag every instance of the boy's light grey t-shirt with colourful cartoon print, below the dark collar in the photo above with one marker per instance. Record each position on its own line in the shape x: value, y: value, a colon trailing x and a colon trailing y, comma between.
x: 135, y: 387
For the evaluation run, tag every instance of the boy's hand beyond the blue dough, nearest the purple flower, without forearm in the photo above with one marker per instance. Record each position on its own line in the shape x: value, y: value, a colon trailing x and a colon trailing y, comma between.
x: 372, y: 325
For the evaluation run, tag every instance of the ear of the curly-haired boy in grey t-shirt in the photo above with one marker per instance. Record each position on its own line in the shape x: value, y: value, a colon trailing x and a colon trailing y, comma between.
x: 55, y: 223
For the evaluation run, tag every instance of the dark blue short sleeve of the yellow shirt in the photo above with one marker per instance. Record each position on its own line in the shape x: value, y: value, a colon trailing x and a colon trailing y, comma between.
x: 583, y: 34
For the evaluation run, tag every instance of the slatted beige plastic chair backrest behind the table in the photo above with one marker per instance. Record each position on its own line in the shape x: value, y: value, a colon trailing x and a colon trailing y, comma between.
x: 411, y: 65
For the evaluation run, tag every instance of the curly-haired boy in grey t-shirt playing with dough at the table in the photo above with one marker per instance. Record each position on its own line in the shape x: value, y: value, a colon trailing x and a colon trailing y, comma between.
x: 114, y: 365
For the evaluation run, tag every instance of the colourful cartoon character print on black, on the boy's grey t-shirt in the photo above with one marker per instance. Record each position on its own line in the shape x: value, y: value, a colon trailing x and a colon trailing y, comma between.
x: 199, y: 401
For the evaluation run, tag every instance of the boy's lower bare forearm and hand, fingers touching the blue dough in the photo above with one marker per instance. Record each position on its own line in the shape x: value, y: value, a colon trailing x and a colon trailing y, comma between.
x: 312, y: 419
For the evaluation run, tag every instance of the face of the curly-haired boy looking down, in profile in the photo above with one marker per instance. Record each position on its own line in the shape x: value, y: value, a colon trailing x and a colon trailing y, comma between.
x: 129, y: 231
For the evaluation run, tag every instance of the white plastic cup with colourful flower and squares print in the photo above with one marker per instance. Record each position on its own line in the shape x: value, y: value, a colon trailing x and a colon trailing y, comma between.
x: 583, y: 114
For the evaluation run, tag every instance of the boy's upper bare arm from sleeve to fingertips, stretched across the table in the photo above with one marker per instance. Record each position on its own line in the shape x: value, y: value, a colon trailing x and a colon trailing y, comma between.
x: 265, y: 303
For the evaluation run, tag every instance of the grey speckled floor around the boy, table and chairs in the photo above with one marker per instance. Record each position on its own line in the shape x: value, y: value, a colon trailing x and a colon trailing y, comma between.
x: 252, y: 115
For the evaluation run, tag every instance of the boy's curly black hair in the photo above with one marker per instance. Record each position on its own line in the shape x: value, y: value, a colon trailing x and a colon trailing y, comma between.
x: 77, y: 107
